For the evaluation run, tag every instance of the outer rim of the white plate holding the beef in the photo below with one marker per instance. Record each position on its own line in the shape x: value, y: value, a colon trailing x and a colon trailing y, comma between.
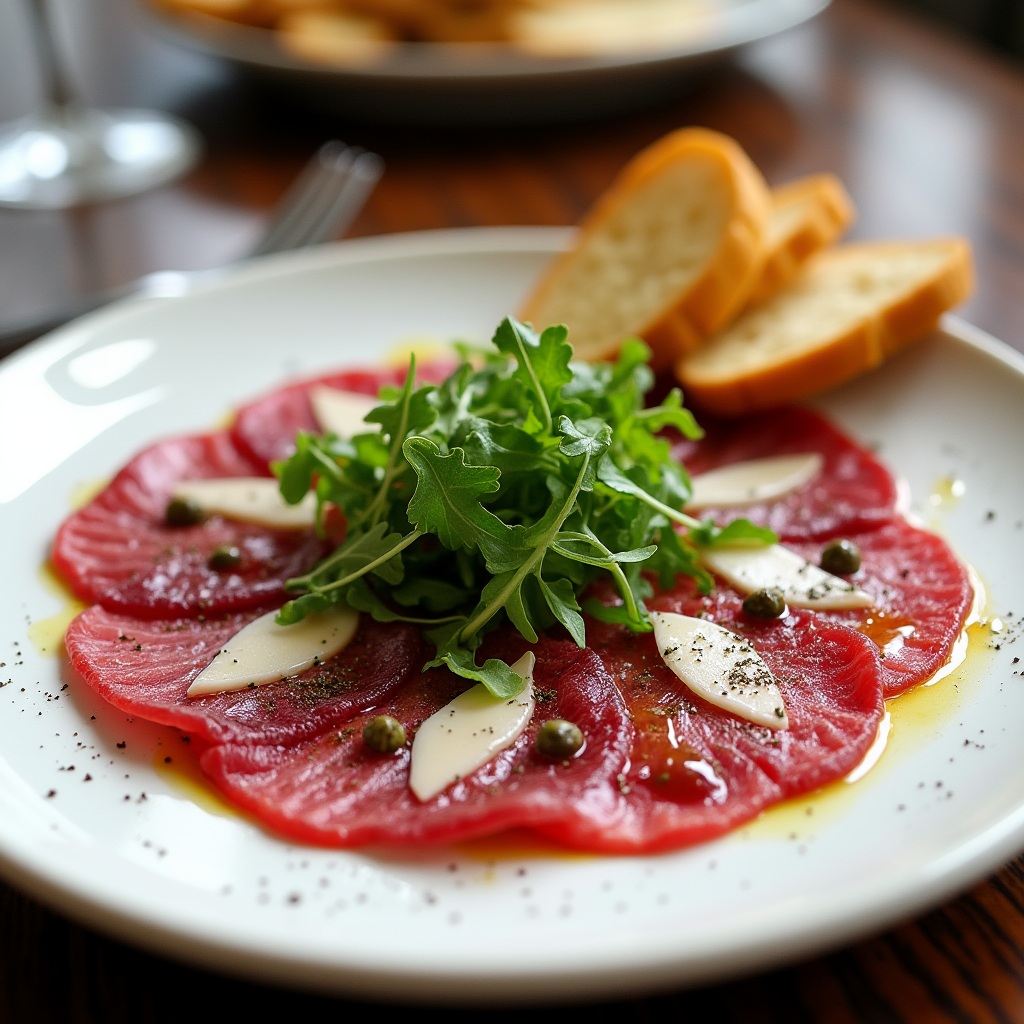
x: 956, y: 870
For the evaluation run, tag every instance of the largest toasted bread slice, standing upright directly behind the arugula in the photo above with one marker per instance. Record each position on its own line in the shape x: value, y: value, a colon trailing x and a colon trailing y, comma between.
x: 670, y: 251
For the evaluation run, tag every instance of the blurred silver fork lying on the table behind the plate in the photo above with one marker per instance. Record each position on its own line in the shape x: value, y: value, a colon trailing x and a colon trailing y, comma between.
x: 320, y: 205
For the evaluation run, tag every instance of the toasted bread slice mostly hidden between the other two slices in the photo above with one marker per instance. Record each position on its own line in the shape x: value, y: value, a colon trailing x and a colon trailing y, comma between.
x: 808, y: 216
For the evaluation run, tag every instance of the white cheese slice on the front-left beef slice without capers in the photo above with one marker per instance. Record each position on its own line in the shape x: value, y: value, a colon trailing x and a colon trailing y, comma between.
x: 266, y: 653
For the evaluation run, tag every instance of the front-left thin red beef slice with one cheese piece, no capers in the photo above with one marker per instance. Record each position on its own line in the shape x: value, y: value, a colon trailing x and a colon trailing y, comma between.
x: 146, y: 668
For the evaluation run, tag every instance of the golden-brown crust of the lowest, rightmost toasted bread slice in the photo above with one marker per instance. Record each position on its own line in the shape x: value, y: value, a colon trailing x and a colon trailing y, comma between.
x: 865, y: 344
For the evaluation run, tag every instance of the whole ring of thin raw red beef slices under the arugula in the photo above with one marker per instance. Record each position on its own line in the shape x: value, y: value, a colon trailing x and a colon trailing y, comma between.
x: 661, y: 767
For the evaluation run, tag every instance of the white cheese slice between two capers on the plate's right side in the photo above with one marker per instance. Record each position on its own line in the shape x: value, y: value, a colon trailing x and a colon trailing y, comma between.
x: 804, y: 585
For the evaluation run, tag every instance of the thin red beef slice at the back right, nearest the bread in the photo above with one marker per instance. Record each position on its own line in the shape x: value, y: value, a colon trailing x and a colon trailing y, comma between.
x: 852, y: 493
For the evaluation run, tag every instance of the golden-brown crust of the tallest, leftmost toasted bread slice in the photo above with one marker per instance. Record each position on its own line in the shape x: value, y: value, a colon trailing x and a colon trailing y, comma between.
x: 721, y: 288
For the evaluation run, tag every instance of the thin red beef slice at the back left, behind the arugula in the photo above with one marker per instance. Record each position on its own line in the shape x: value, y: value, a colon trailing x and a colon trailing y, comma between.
x: 266, y: 430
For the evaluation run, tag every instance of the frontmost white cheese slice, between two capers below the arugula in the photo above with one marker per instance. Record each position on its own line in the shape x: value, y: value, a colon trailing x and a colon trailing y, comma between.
x: 468, y: 733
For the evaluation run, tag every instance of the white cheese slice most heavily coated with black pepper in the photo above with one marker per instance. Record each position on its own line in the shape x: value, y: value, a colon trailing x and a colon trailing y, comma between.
x: 721, y: 667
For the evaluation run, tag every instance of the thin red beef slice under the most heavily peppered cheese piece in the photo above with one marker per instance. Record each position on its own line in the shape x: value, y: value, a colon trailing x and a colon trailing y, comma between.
x: 697, y: 772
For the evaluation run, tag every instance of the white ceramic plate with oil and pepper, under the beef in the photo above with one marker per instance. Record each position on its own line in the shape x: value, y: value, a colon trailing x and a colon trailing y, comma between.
x: 944, y: 806
